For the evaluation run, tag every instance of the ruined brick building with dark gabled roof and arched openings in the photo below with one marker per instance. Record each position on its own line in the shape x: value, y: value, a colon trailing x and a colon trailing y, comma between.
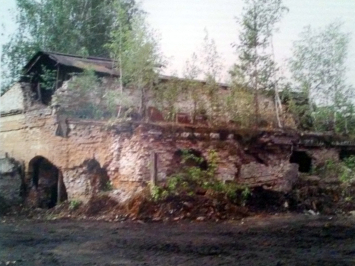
x: 64, y: 158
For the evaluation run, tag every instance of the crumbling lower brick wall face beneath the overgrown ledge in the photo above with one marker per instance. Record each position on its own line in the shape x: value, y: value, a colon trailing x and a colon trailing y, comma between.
x: 94, y: 153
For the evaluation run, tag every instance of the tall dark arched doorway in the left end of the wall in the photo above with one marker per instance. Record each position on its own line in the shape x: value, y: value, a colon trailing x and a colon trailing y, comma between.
x: 46, y: 180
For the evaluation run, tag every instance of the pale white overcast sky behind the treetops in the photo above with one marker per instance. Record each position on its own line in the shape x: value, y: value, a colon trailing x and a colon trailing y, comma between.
x: 181, y: 25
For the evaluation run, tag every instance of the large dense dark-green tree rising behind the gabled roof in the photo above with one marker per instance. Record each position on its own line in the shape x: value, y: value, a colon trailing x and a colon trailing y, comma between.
x: 67, y: 26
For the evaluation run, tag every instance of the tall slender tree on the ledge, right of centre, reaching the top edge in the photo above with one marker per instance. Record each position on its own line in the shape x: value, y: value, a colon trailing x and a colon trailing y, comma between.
x: 256, y: 67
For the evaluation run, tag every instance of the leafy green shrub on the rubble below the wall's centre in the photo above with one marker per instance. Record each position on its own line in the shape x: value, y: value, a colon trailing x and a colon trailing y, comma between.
x: 191, y: 179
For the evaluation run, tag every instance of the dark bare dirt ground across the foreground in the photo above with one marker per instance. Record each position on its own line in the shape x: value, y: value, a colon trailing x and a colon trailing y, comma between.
x: 272, y: 240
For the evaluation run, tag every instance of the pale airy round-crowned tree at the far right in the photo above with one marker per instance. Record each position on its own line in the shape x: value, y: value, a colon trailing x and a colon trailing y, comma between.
x: 318, y: 71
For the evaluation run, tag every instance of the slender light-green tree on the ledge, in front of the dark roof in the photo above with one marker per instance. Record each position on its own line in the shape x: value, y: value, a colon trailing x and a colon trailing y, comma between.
x: 134, y: 46
